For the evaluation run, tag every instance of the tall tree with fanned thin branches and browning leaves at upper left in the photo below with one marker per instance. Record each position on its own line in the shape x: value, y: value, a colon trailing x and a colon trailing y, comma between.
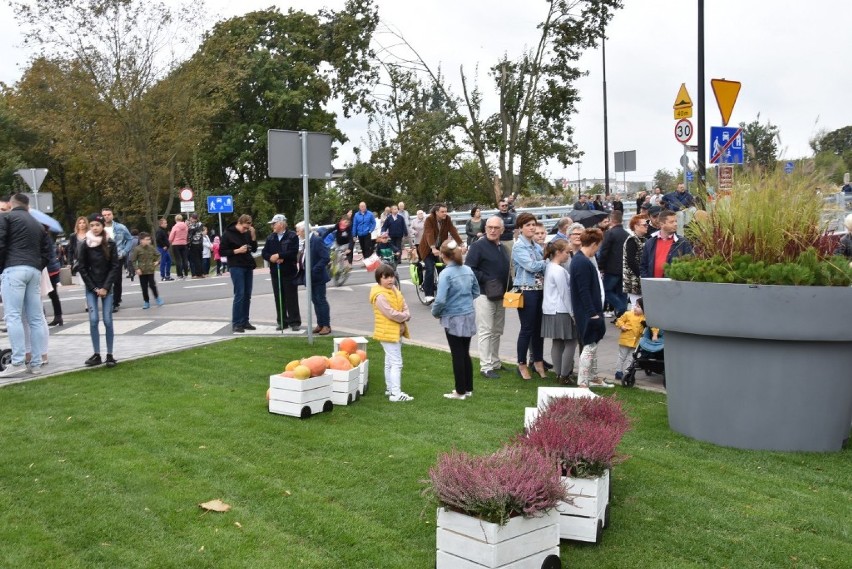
x: 124, y: 47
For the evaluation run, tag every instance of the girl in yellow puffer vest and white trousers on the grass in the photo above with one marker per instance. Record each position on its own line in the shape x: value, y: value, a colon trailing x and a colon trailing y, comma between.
x: 391, y: 326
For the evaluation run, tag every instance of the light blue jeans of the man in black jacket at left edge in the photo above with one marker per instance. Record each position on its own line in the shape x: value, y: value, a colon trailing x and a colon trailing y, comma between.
x: 21, y: 290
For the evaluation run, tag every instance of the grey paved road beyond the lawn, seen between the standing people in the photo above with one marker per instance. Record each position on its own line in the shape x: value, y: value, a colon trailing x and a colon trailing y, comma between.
x: 198, y: 312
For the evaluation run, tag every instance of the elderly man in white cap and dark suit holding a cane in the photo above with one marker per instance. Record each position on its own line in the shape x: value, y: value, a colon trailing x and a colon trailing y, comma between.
x: 281, y: 251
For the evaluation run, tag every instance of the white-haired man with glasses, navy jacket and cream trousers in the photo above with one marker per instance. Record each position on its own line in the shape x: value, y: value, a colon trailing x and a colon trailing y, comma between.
x: 490, y: 263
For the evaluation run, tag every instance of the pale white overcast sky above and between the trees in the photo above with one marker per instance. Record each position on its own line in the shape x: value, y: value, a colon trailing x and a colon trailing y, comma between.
x: 791, y: 58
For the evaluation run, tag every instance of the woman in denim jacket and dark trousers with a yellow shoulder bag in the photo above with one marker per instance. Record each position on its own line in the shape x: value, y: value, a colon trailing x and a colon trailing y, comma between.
x: 529, y: 279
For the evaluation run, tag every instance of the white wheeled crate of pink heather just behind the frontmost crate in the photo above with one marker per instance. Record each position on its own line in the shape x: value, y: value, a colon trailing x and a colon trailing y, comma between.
x: 585, y: 518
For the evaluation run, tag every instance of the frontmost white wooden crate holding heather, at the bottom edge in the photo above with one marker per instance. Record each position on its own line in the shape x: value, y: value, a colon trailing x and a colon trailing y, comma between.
x: 464, y: 542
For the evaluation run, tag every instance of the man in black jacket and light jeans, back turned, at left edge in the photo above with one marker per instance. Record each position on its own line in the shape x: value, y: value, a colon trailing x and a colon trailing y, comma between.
x: 23, y: 254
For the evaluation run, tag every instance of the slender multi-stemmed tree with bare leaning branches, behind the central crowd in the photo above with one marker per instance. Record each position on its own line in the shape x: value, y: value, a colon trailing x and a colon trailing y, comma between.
x: 536, y: 94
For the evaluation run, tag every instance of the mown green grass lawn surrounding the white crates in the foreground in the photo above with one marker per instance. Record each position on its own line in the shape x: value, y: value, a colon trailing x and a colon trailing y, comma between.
x: 106, y: 468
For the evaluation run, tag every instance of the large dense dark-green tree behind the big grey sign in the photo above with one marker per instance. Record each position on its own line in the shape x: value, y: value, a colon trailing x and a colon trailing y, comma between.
x: 282, y: 72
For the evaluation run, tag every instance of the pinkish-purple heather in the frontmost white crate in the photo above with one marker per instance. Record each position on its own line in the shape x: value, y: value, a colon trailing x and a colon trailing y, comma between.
x: 514, y: 481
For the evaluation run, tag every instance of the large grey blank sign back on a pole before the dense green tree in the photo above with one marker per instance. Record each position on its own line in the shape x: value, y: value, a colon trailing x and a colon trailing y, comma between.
x: 285, y: 154
